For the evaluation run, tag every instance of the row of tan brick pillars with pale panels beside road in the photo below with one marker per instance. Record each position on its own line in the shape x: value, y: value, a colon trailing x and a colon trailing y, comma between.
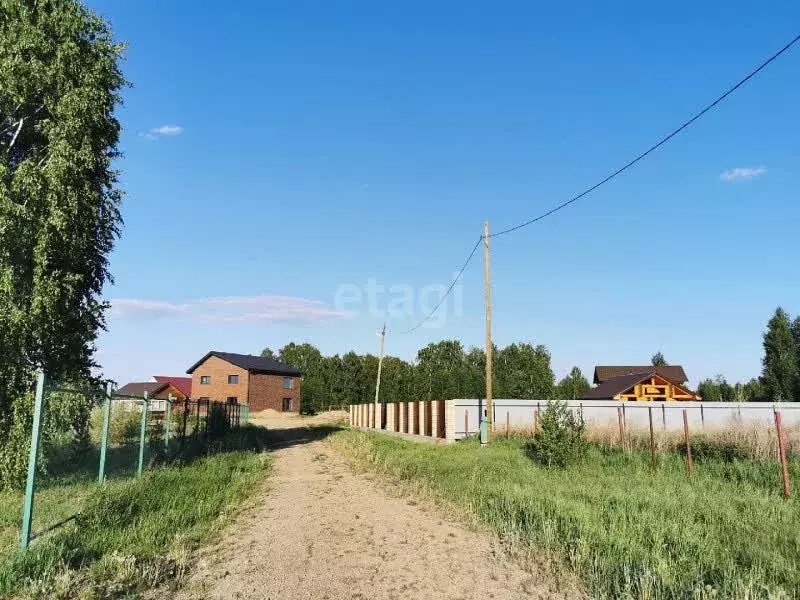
x: 430, y: 419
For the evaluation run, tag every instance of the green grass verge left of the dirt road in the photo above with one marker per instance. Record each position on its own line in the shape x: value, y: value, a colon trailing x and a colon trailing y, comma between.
x: 130, y: 534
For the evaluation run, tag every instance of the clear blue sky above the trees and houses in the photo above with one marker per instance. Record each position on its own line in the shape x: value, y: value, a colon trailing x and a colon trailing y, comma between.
x: 280, y: 156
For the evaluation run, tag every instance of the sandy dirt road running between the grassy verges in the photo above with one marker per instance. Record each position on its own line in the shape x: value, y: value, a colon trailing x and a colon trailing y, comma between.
x: 317, y: 531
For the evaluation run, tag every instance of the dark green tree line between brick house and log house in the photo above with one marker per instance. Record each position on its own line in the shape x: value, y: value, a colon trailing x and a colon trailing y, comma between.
x: 441, y: 370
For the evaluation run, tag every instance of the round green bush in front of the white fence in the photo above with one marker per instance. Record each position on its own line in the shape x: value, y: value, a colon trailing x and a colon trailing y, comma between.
x: 561, y: 439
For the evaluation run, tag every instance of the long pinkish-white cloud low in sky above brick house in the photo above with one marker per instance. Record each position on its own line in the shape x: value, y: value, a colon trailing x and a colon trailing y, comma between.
x: 230, y: 309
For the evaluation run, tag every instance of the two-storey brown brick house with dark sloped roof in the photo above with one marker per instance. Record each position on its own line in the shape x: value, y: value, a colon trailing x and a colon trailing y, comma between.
x: 262, y: 383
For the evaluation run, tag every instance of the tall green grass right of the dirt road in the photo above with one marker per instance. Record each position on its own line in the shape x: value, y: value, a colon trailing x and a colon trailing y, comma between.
x: 625, y: 531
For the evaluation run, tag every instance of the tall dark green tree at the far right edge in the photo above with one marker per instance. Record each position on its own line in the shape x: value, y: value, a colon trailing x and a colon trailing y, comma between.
x: 780, y: 362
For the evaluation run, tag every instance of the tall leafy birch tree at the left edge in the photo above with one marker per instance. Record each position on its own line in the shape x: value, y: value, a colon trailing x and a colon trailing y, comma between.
x: 59, y: 203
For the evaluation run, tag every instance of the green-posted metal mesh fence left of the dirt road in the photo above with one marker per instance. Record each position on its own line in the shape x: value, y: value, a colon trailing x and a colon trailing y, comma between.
x: 183, y: 420
